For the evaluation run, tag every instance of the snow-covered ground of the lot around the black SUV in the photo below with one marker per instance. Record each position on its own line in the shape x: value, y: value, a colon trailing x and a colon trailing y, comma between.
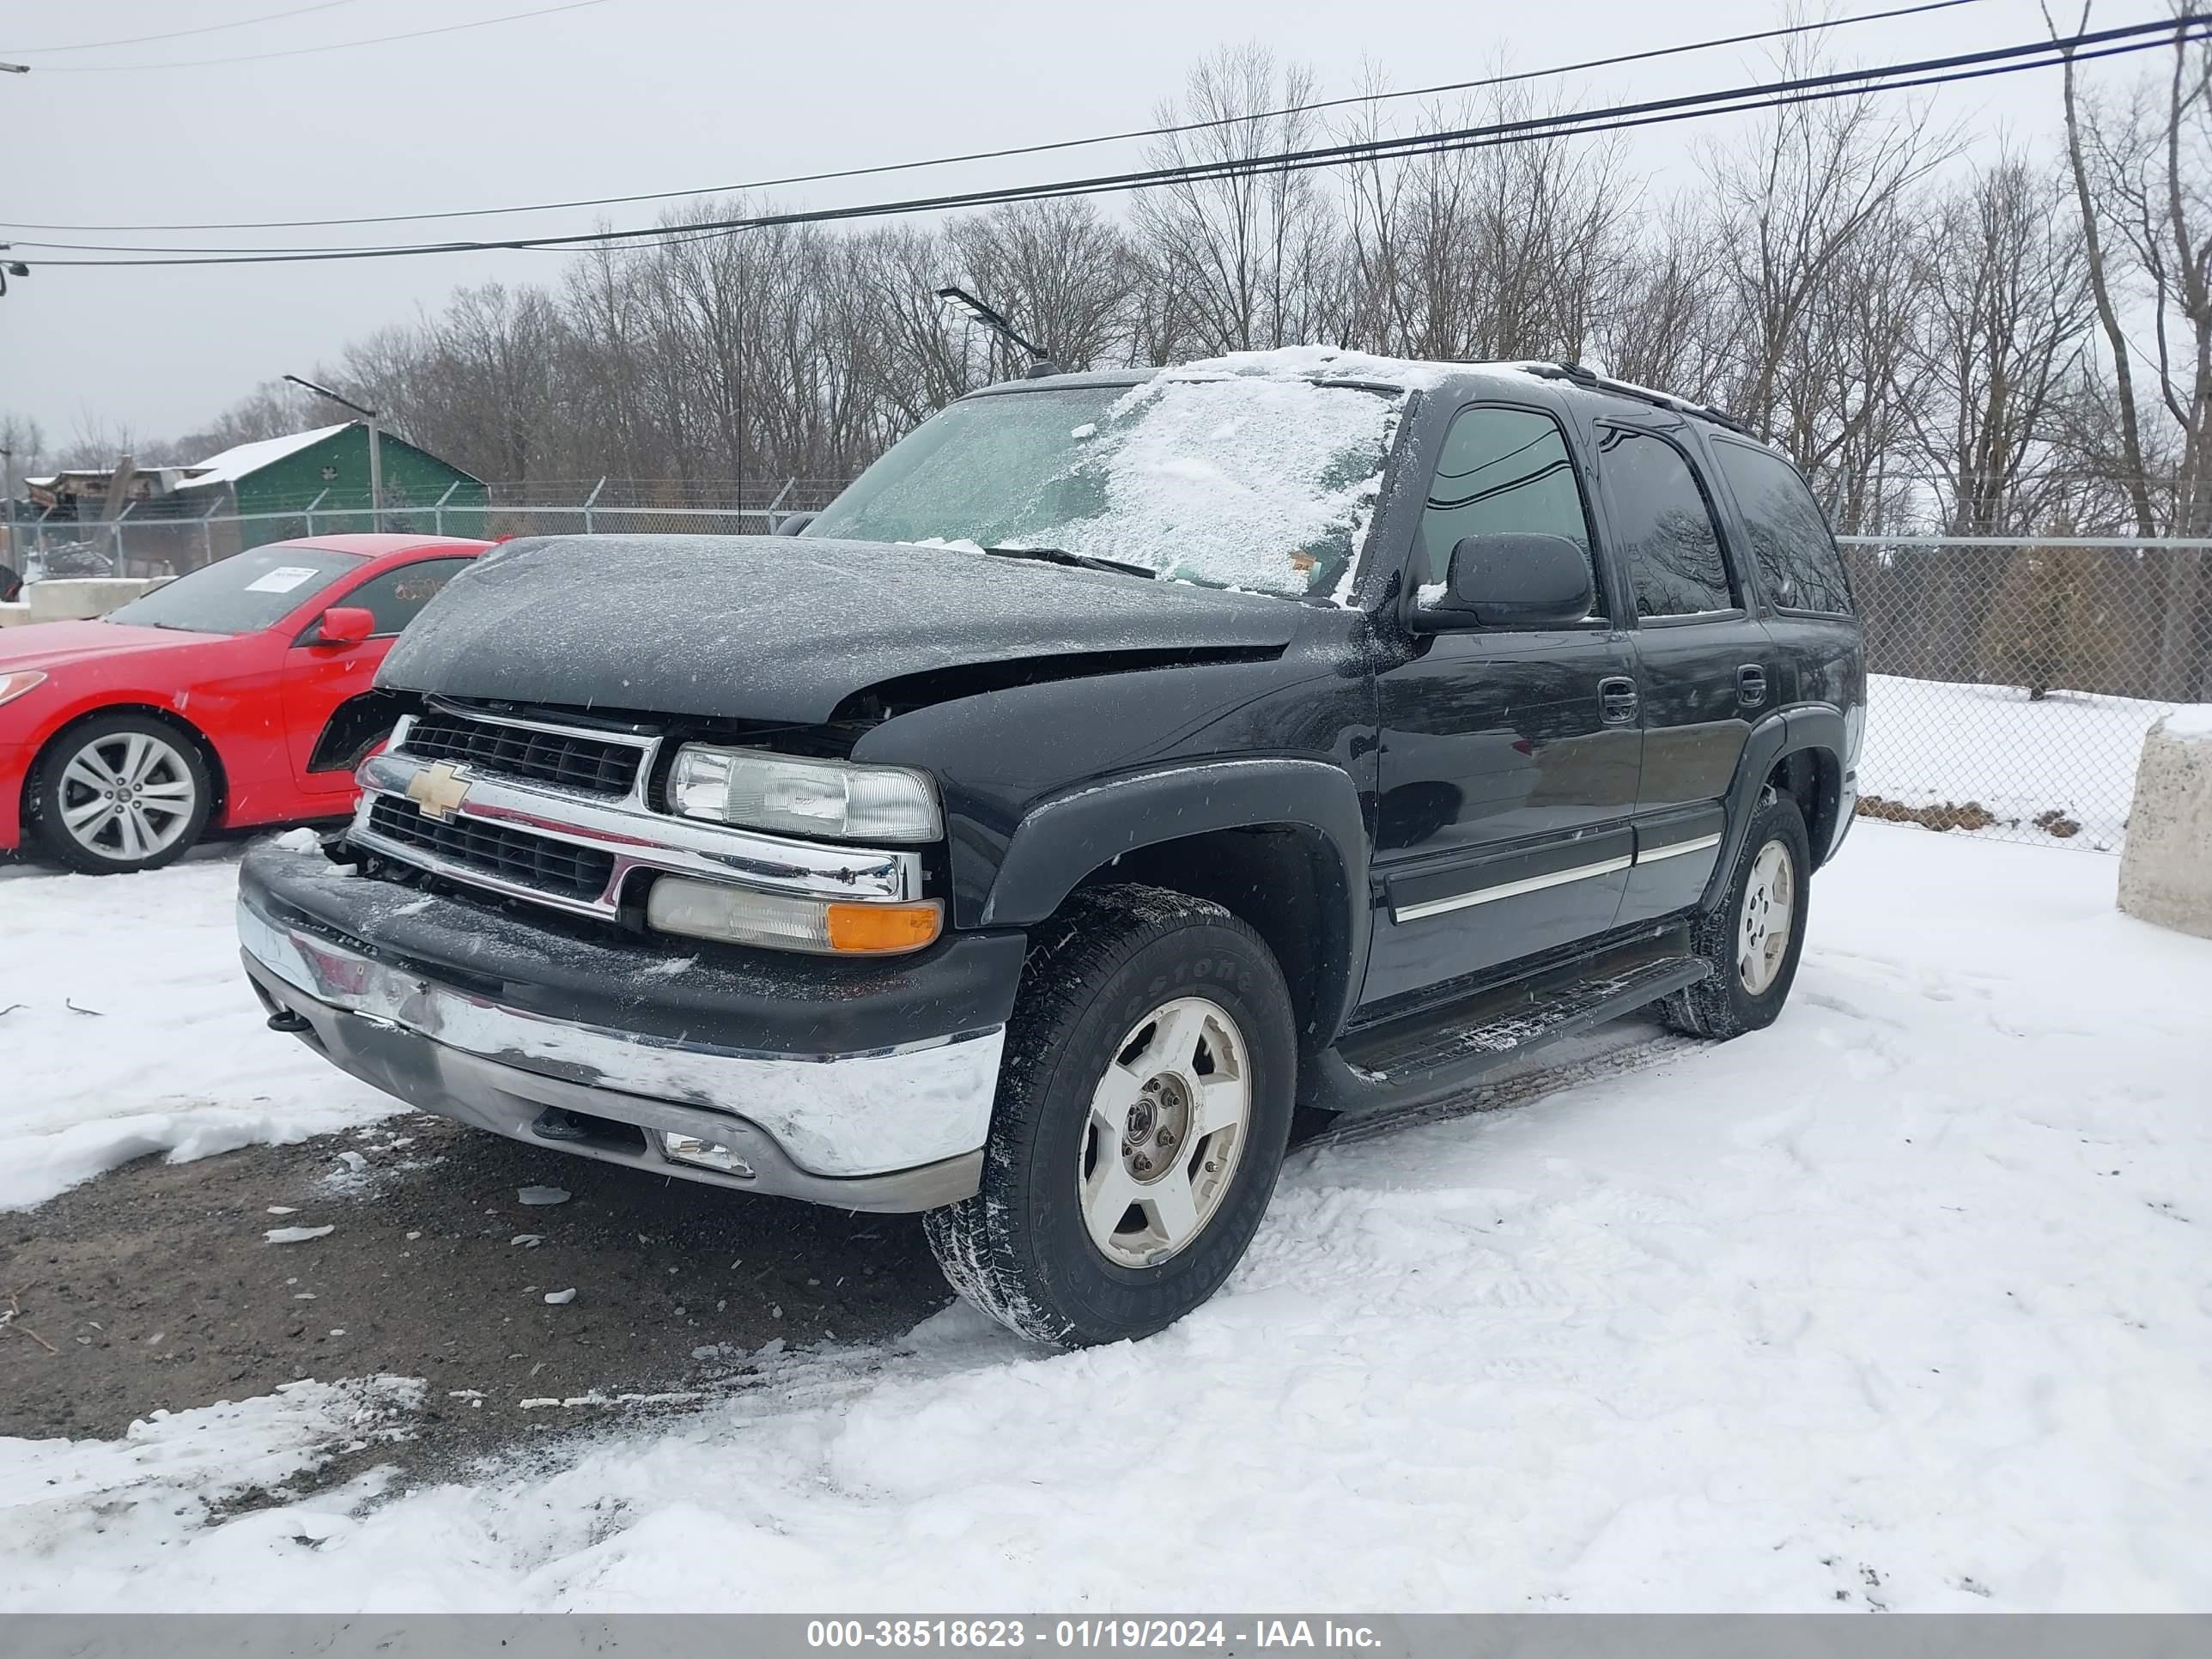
x: 1903, y: 1304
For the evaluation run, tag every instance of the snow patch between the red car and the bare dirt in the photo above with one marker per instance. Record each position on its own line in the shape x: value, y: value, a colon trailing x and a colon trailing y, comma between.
x: 132, y: 1030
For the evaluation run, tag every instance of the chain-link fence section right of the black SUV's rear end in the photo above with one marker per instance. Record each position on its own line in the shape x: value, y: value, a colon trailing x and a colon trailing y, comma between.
x: 2014, y: 680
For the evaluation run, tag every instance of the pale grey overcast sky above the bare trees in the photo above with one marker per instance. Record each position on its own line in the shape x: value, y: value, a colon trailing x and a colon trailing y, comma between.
x: 674, y: 94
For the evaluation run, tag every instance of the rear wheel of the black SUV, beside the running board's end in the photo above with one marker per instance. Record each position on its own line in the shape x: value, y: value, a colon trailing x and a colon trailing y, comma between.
x: 1751, y: 950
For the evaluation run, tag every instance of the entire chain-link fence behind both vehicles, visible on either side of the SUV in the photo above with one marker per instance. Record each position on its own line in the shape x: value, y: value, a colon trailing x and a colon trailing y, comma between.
x: 2012, y: 680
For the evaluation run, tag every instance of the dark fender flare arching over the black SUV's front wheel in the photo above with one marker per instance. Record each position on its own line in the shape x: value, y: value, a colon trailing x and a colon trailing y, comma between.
x: 1072, y: 835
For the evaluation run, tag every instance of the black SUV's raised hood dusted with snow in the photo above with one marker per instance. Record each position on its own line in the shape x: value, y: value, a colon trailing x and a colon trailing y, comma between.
x: 778, y: 627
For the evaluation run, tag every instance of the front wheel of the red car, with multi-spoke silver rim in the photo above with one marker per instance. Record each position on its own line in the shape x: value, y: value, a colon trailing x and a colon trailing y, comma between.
x: 121, y: 793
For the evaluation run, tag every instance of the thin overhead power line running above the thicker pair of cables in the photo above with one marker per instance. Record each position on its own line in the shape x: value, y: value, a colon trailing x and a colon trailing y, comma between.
x: 1021, y: 149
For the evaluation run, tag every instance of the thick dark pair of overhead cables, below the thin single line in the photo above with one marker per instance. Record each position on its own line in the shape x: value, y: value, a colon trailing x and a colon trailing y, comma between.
x: 1932, y: 72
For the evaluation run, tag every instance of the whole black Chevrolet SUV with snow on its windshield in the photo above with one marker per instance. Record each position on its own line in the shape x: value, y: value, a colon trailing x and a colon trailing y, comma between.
x: 1120, y: 769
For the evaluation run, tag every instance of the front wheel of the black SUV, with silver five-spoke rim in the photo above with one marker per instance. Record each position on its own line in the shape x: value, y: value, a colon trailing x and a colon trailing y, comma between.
x: 1145, y: 1010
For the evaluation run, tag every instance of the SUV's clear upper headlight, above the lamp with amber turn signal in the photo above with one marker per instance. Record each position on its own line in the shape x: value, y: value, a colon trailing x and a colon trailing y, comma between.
x: 804, y: 797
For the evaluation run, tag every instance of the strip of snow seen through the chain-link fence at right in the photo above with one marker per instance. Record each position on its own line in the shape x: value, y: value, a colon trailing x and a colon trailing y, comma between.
x: 2072, y: 753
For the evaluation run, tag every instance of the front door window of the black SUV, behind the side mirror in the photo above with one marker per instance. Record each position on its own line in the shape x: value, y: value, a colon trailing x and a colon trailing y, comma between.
x: 1503, y: 472
